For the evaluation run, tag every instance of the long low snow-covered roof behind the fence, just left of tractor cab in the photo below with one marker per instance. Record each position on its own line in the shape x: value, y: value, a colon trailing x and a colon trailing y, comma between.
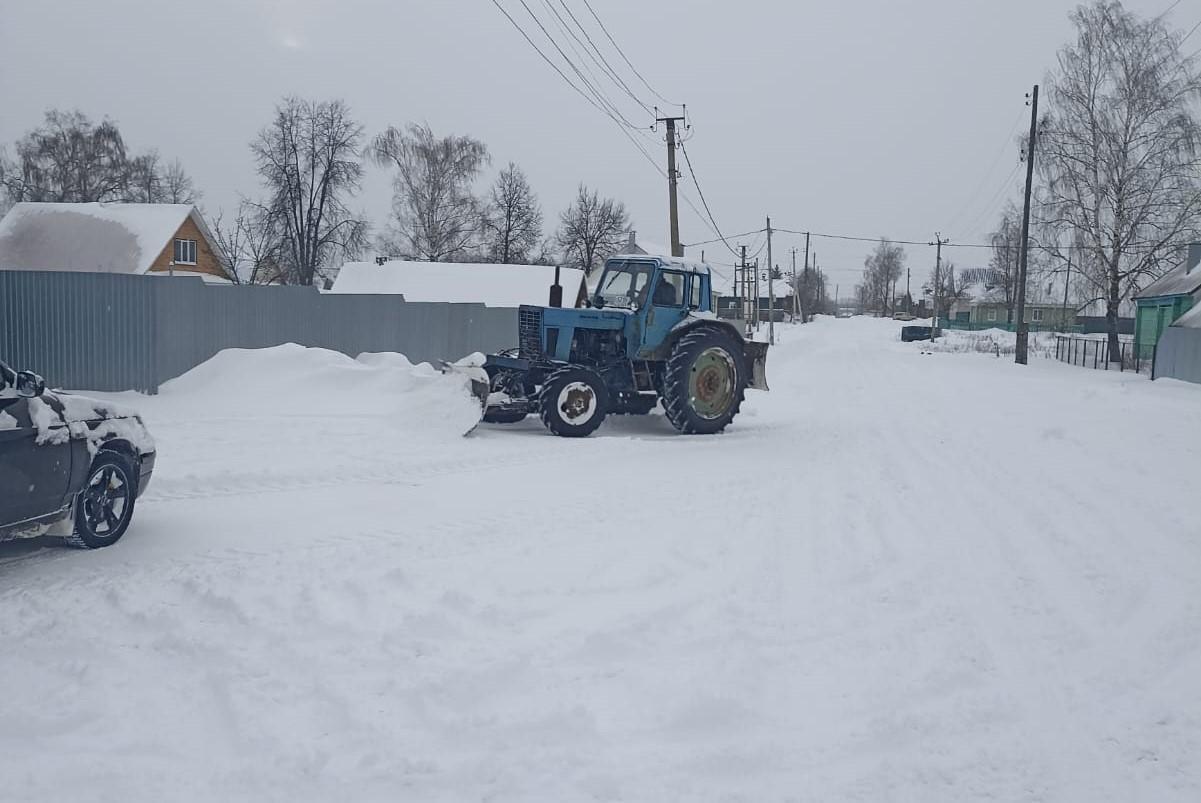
x: 494, y: 285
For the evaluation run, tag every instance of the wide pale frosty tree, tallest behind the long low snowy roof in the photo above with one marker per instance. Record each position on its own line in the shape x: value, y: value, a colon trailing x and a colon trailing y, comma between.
x: 435, y: 213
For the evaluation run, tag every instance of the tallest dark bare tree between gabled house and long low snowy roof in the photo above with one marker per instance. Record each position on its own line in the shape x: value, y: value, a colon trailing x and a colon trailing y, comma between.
x: 309, y: 163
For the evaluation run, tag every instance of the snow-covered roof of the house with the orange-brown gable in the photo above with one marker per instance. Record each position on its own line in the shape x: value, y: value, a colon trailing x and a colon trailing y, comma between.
x: 92, y: 238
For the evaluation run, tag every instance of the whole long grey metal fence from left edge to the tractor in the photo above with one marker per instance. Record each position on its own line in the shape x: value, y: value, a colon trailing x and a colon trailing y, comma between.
x: 109, y: 332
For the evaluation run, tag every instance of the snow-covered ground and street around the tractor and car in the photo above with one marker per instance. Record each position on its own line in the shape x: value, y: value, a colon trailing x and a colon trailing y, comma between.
x: 899, y: 577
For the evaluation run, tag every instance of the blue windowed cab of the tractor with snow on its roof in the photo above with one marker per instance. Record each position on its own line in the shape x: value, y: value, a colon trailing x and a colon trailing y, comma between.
x: 659, y: 293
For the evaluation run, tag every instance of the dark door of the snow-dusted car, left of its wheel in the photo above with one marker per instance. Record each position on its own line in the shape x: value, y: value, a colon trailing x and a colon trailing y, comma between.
x: 34, y: 477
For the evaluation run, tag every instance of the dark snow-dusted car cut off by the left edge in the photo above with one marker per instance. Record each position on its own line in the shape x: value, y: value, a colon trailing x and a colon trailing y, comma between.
x: 70, y: 466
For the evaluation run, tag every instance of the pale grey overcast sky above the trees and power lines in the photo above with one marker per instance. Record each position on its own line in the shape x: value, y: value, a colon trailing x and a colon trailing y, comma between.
x: 870, y: 118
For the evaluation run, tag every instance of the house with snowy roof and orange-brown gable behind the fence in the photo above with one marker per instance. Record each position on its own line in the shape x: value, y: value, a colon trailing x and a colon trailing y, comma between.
x: 134, y: 239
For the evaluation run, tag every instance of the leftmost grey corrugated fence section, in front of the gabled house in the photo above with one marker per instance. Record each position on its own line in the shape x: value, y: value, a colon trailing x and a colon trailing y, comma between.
x: 80, y: 331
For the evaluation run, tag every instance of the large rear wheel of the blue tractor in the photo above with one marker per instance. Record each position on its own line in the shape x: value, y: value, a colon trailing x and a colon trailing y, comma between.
x: 704, y: 382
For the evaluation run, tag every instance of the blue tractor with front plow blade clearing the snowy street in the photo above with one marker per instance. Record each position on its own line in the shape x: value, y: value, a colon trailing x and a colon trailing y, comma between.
x: 647, y: 335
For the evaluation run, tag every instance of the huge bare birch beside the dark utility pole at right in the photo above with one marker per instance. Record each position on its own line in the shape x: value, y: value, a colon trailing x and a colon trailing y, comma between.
x: 1120, y: 148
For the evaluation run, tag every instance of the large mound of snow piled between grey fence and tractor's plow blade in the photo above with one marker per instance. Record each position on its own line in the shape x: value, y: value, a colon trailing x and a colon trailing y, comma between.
x: 296, y: 381
